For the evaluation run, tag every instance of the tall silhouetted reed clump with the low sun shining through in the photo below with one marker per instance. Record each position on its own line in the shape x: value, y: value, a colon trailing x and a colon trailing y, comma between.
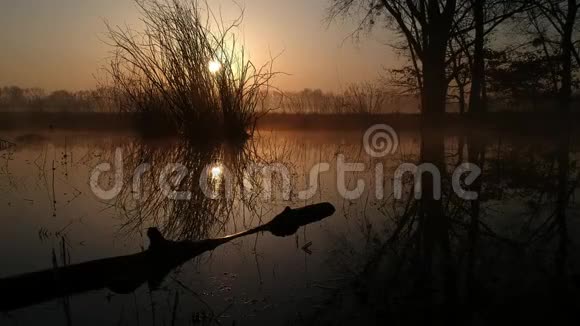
x: 187, y: 72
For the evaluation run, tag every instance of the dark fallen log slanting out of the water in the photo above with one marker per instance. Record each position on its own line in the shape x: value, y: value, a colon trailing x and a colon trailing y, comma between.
x: 125, y: 274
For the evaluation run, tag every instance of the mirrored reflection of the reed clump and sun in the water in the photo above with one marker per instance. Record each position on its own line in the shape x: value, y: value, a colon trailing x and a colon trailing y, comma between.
x: 148, y: 205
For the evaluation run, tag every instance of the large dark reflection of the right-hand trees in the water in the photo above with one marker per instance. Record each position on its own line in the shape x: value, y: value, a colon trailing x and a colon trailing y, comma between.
x: 507, y: 256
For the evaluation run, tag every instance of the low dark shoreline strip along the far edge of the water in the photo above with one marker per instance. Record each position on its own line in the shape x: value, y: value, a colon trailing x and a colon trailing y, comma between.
x: 531, y: 122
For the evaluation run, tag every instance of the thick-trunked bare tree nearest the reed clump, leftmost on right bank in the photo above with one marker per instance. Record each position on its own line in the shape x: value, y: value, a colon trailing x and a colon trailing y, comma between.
x: 426, y: 26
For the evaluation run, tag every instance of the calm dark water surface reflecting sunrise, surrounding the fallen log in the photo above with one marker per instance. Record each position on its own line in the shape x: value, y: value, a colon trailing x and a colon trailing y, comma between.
x: 375, y: 257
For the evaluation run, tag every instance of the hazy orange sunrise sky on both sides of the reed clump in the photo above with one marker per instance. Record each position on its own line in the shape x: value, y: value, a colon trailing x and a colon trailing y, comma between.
x: 61, y: 44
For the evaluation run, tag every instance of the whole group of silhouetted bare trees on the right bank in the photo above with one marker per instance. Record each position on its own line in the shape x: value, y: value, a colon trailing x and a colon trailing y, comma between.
x: 447, y: 45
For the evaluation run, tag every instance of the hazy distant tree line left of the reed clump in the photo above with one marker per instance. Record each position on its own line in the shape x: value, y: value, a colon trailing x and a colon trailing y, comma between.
x: 17, y: 99
